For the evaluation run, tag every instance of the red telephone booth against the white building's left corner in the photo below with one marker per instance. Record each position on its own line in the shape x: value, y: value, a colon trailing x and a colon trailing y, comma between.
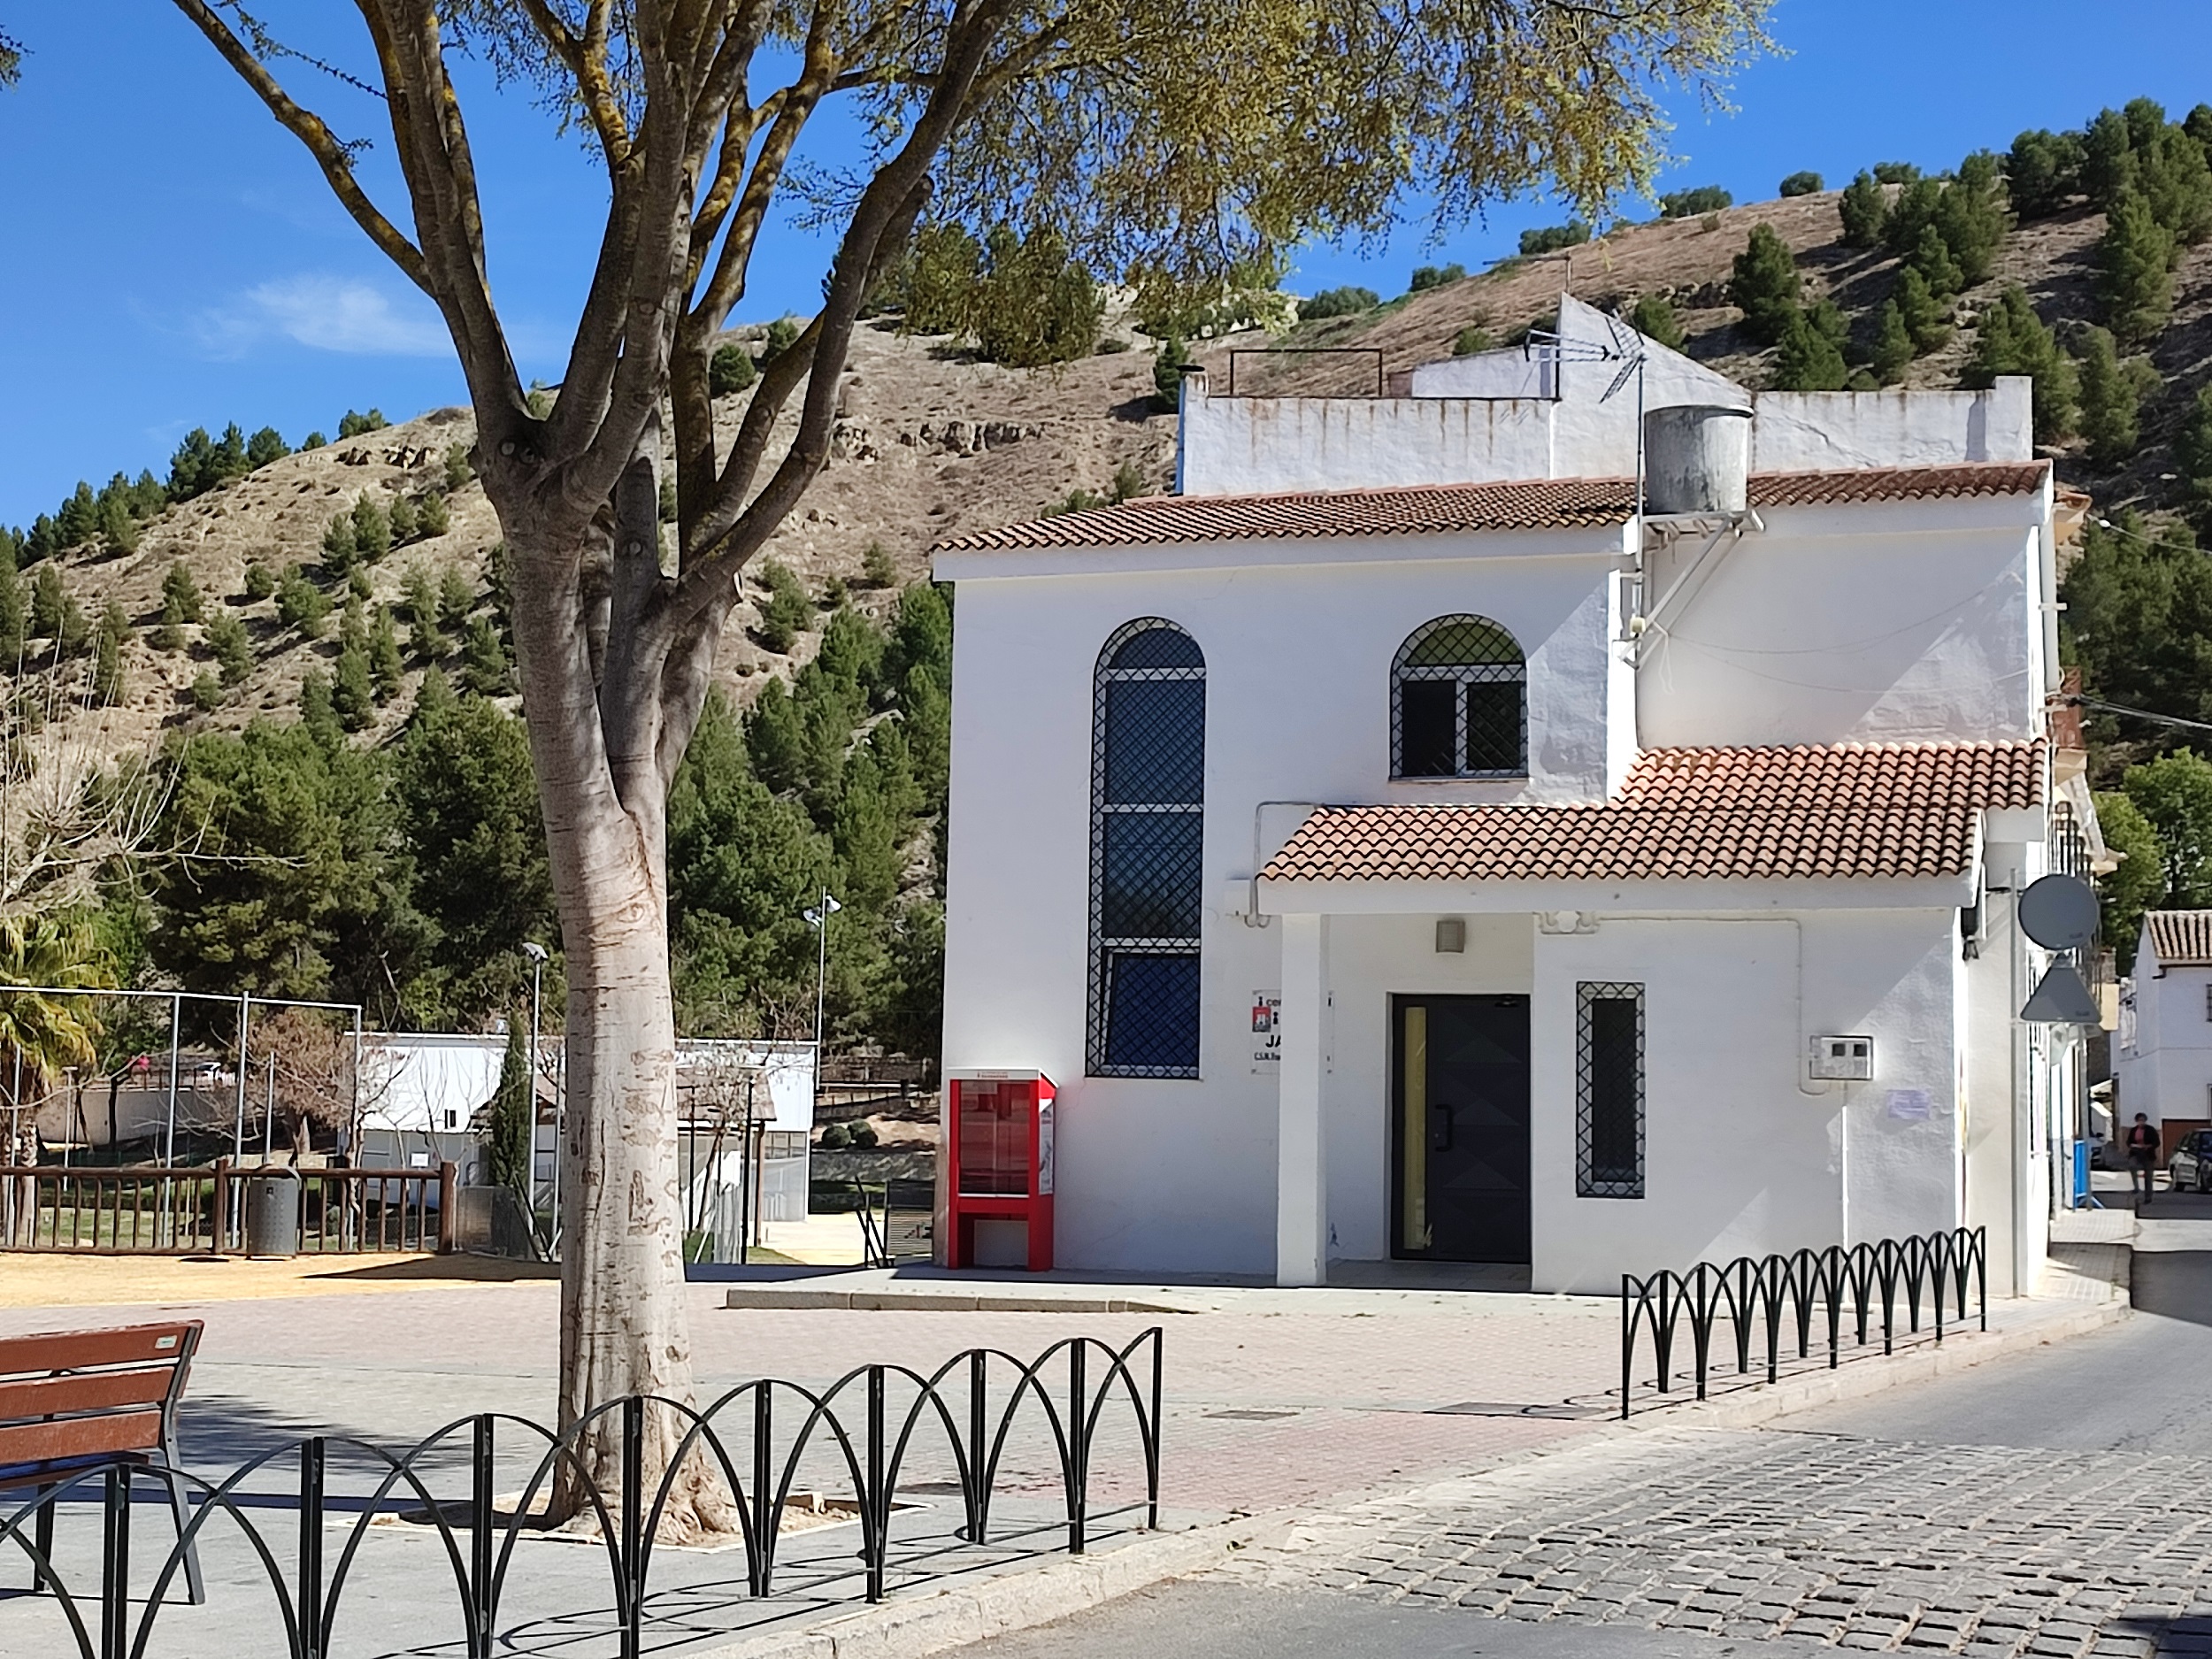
x: 1001, y: 1165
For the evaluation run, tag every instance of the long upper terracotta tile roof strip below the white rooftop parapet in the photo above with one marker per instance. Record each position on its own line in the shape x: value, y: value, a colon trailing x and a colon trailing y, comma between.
x: 1452, y: 510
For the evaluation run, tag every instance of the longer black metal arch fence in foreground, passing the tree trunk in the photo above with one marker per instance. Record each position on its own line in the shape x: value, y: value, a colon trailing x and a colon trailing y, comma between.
x: 755, y: 1439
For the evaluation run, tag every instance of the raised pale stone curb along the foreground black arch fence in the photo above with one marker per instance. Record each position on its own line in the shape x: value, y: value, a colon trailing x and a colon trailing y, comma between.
x: 1016, y: 1600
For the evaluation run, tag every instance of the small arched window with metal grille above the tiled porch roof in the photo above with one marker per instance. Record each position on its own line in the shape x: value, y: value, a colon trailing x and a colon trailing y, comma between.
x: 1459, y: 702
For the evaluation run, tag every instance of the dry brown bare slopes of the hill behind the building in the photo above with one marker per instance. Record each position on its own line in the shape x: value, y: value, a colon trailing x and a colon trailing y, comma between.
x: 935, y: 441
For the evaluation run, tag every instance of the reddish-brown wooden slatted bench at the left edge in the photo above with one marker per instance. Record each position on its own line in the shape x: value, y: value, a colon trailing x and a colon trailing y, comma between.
x: 74, y: 1401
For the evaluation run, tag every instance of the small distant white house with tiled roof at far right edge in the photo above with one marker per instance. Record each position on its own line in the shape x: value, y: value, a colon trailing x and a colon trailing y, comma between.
x: 2162, y: 1054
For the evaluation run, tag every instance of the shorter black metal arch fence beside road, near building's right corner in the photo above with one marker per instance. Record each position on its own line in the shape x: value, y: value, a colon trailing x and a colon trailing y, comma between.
x: 1846, y: 1286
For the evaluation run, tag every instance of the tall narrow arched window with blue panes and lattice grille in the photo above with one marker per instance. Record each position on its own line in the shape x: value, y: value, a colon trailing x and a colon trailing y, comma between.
x: 1147, y: 875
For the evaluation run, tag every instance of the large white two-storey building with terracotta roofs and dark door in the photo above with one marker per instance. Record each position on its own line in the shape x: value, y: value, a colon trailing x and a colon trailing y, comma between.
x: 1392, y: 853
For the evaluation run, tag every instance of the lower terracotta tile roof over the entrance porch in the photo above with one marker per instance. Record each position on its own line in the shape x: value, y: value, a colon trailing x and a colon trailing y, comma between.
x: 1698, y: 815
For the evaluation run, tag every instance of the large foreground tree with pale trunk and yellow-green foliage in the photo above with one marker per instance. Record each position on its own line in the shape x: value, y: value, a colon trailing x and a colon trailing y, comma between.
x: 1167, y: 140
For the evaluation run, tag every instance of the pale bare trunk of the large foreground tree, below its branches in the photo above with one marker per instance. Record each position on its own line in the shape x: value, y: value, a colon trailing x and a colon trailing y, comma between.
x: 603, y: 747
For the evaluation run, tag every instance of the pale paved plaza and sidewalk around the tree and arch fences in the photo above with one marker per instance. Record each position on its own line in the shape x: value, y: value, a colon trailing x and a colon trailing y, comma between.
x: 1277, y: 1401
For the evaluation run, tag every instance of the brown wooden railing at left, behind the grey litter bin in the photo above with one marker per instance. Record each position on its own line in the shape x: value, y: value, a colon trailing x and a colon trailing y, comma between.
x: 154, y: 1211
